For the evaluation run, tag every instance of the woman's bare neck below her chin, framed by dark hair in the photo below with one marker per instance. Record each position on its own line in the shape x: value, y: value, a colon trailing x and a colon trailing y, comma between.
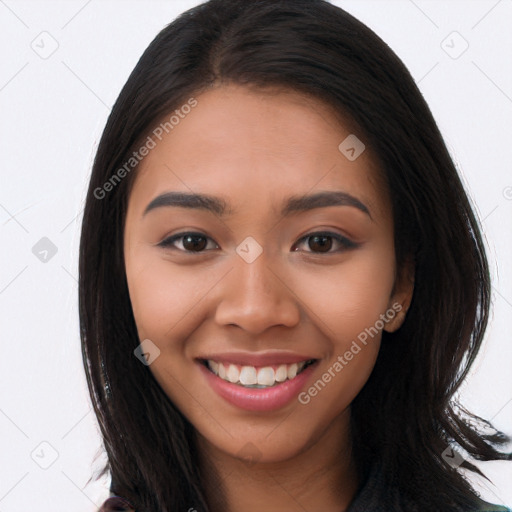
x: 322, y: 476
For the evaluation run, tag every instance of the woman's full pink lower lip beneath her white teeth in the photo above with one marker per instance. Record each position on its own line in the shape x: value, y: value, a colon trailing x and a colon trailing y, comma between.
x: 254, y: 399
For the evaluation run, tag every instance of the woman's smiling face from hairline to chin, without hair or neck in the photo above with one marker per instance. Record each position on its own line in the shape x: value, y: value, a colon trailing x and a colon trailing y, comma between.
x: 255, y: 291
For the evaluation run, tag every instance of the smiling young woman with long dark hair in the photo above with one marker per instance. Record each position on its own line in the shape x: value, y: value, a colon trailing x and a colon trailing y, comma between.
x: 282, y: 281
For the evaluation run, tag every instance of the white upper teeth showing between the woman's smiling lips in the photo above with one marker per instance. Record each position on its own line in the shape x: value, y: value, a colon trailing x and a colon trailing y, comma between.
x: 256, y: 377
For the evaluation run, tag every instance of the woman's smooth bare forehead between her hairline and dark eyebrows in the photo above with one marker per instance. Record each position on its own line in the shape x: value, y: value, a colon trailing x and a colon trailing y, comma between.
x: 255, y: 146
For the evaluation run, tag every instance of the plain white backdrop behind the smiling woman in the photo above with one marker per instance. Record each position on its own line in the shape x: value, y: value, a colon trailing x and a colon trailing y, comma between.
x: 52, y: 113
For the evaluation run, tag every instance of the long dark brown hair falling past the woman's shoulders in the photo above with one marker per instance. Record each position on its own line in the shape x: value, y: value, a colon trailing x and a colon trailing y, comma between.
x: 407, y: 413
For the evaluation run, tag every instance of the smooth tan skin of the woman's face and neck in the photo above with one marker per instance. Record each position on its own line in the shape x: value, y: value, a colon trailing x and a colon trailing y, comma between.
x: 254, y: 149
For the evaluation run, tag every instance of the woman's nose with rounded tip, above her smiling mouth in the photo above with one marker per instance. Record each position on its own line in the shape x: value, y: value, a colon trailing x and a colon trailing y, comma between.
x: 256, y: 296
